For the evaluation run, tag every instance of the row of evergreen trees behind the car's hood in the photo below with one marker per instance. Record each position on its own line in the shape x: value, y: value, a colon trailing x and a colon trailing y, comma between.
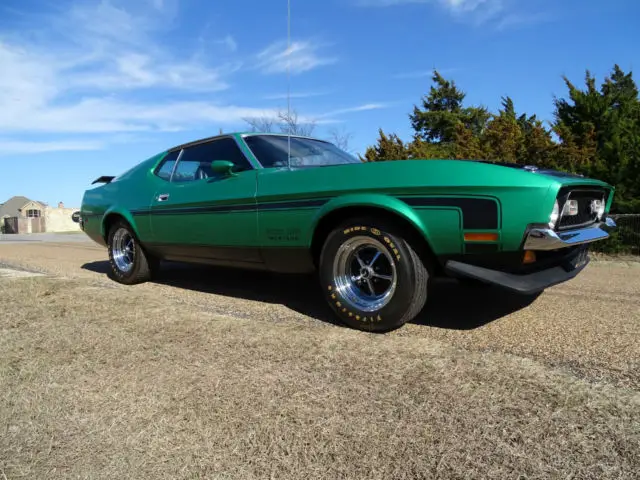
x: 597, y: 132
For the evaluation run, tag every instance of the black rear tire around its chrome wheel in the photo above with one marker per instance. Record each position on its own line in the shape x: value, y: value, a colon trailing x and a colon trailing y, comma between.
x: 143, y: 266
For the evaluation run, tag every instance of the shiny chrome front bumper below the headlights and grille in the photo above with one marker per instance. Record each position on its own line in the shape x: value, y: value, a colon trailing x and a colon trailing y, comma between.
x: 548, y: 239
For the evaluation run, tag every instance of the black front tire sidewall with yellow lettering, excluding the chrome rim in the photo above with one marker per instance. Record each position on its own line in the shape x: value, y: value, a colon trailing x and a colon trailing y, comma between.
x: 389, y: 316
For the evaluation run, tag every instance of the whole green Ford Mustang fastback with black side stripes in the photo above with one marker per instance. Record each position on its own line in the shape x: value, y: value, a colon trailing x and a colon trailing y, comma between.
x: 374, y: 233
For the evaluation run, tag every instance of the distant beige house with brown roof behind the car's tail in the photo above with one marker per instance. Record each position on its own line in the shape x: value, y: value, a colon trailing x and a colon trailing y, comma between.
x: 23, y: 215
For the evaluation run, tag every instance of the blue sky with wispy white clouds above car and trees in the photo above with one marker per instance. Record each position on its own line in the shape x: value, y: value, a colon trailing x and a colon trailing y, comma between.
x: 92, y: 87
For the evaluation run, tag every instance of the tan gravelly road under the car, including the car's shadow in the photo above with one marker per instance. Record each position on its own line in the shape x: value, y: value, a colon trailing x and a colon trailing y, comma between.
x: 589, y: 326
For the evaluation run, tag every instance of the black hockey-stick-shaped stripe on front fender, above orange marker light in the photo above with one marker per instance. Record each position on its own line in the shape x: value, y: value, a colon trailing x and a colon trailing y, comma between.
x: 477, y: 213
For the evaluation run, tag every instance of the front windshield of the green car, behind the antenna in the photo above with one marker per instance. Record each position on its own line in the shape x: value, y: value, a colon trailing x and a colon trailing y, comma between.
x: 271, y: 151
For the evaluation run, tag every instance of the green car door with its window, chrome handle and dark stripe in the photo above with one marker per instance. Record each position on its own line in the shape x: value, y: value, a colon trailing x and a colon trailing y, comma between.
x: 202, y: 214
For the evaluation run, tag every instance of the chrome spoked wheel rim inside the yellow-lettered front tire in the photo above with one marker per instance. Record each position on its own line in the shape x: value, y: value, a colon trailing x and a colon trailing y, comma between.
x: 364, y: 274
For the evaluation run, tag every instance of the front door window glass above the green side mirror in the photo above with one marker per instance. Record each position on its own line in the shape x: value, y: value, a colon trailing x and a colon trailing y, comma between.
x: 195, y: 163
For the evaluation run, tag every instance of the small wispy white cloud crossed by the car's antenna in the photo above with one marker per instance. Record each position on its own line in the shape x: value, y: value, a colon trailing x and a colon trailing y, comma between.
x: 301, y: 56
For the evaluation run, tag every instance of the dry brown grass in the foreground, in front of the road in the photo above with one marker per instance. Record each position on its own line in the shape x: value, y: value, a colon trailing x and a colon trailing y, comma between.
x: 102, y: 382
